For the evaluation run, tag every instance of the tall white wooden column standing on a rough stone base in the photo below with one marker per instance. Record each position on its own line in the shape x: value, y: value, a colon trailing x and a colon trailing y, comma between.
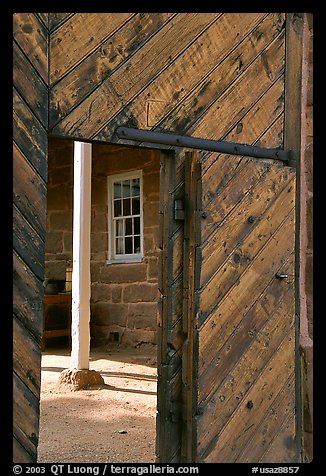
x: 81, y: 283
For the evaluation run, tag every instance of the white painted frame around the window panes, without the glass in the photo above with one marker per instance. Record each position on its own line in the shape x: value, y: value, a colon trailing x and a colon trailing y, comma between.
x: 124, y: 258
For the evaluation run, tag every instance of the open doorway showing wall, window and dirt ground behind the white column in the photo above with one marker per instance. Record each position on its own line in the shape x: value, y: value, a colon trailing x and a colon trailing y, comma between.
x: 114, y: 422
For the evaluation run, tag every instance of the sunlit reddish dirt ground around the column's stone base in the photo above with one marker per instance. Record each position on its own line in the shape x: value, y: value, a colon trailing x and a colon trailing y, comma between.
x: 113, y: 423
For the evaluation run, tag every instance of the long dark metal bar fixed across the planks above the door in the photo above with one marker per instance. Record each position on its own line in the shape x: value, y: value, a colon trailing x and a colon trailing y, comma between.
x: 232, y: 148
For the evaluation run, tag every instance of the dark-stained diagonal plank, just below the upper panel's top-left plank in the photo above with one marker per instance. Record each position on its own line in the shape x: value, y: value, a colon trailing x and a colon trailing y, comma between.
x: 97, y: 67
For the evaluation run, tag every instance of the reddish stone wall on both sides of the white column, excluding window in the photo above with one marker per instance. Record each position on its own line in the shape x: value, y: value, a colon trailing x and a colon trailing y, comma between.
x: 123, y: 296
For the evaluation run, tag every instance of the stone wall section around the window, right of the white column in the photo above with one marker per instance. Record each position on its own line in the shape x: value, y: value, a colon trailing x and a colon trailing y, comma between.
x: 124, y: 296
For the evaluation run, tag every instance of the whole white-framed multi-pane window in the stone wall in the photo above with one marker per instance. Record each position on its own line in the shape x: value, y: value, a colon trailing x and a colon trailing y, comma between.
x: 125, y: 211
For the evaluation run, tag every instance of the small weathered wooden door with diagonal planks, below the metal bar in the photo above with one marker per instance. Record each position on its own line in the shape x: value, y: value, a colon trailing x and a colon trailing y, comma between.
x: 239, y: 356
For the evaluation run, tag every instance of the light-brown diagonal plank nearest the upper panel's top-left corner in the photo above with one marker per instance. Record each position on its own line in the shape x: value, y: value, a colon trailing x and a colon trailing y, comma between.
x: 78, y: 37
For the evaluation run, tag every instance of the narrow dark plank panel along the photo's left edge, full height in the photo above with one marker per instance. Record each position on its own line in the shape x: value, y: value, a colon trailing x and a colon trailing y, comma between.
x: 30, y: 126
